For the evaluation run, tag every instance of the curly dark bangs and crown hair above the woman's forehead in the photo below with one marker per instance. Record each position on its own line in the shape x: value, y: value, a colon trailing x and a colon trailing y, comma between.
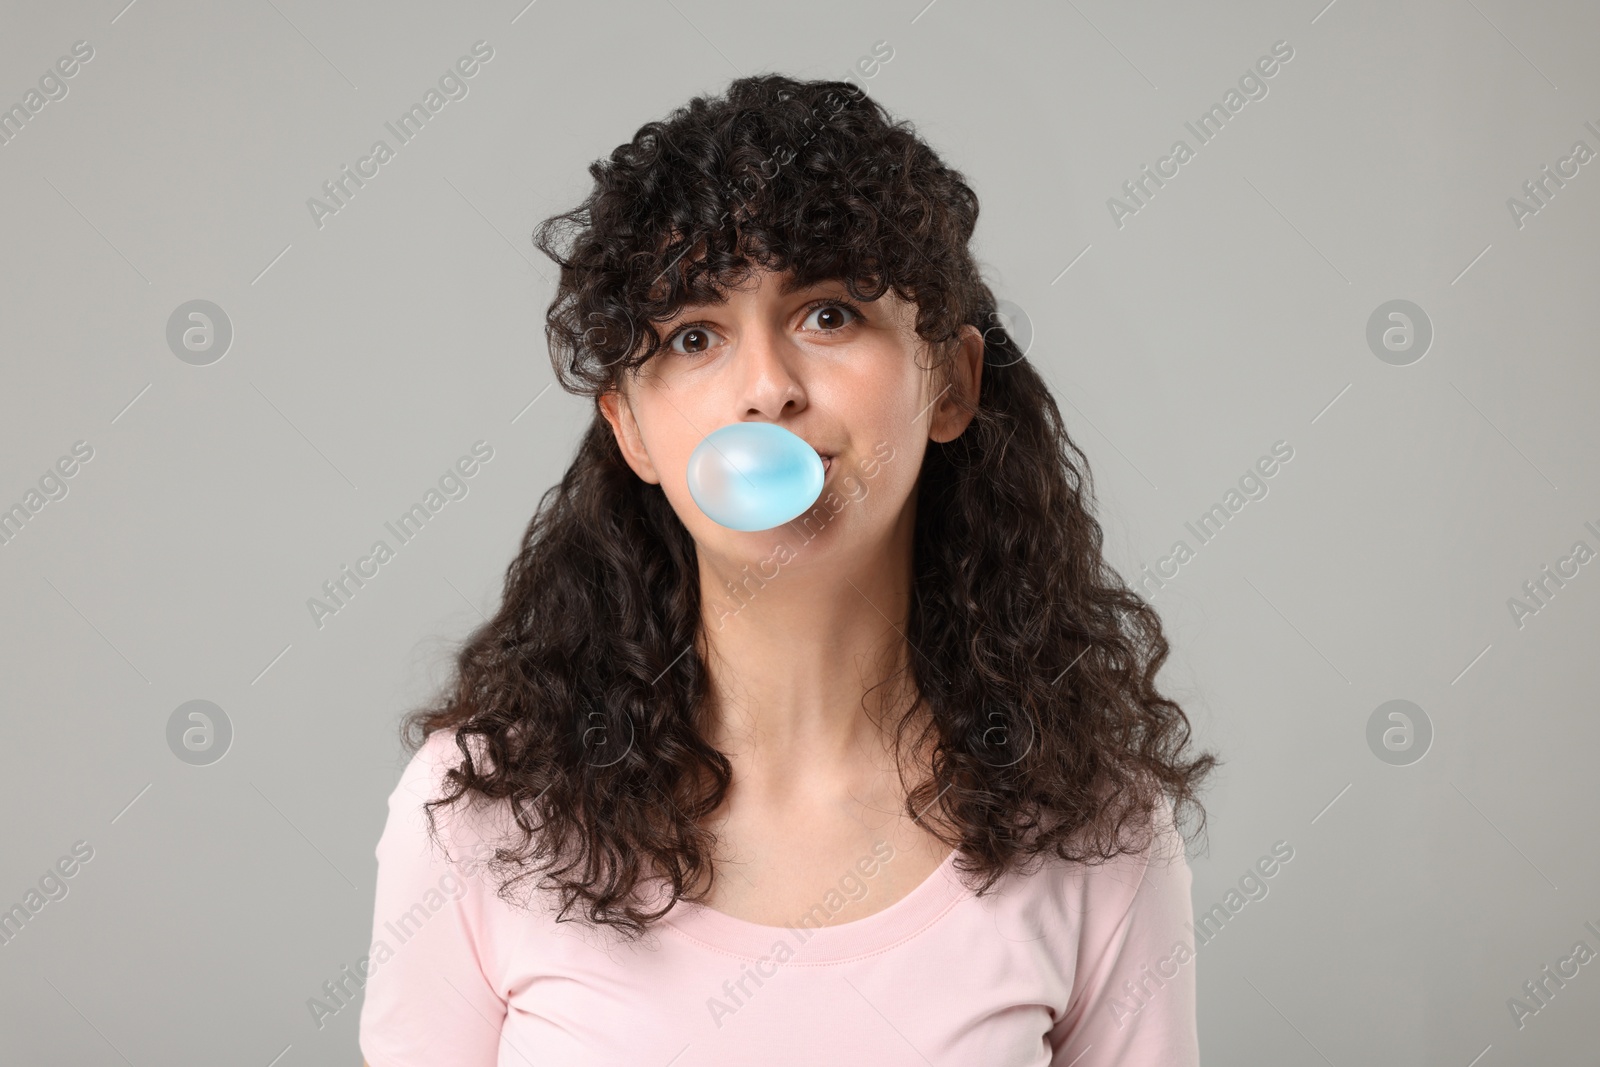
x: 807, y: 180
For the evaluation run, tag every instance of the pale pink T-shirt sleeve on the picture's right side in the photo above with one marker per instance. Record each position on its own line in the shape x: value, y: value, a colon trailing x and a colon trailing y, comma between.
x: 1134, y: 997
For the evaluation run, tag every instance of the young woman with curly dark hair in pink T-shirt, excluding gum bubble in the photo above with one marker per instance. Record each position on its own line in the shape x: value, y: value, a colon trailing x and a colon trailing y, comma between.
x: 890, y: 783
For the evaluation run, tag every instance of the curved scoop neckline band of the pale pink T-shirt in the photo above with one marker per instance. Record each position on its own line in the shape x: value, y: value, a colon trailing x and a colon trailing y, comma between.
x: 913, y: 913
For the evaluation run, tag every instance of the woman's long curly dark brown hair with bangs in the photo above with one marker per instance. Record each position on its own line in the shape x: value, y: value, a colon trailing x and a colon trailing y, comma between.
x: 1036, y: 665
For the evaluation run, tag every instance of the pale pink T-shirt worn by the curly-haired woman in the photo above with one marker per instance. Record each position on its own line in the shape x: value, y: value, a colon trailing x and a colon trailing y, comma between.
x: 1068, y: 965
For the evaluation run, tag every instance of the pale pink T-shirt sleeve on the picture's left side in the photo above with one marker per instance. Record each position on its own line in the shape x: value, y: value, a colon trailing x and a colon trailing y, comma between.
x: 431, y: 1001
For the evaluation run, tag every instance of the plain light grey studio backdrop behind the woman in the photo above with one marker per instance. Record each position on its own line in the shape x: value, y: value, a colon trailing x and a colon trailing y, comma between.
x: 370, y: 354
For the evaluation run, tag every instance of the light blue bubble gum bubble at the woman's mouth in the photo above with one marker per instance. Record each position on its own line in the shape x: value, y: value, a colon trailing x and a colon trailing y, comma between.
x: 754, y: 476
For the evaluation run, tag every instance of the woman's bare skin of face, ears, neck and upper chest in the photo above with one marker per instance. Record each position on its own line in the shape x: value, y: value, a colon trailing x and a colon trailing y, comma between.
x: 794, y: 661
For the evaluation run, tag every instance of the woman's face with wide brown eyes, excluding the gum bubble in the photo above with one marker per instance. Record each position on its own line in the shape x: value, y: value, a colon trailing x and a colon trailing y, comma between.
x: 850, y: 378
